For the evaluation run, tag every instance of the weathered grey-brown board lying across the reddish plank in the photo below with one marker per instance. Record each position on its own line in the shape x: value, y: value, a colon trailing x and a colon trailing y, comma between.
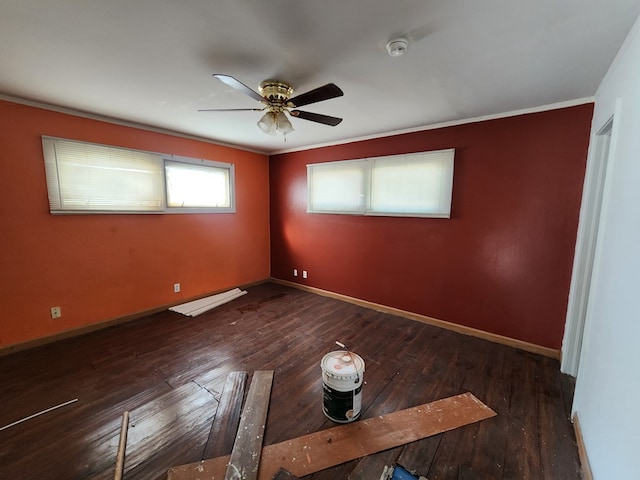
x: 245, y: 456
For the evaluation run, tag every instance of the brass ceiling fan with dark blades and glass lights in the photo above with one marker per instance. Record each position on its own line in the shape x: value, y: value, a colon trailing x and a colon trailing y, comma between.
x: 277, y: 100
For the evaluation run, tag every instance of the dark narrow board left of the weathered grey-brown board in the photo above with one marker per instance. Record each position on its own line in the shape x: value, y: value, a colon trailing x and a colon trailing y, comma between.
x: 225, y: 425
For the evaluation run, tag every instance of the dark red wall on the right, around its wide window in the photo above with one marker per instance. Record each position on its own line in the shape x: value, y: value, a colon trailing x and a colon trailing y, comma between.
x: 501, y: 264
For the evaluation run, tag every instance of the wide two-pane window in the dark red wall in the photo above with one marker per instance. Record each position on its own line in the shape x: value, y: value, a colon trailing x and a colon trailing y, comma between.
x: 418, y: 185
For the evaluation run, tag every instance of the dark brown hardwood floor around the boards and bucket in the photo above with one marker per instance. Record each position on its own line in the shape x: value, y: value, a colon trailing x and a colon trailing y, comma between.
x: 169, y: 370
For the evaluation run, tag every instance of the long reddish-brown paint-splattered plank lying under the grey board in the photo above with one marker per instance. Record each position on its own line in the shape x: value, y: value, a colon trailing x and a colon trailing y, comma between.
x: 320, y: 450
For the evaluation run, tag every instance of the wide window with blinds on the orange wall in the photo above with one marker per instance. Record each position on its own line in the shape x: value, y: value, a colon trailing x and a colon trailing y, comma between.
x: 90, y: 178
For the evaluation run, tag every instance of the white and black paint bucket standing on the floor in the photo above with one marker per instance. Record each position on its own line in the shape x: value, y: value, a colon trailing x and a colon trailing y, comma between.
x: 342, y: 378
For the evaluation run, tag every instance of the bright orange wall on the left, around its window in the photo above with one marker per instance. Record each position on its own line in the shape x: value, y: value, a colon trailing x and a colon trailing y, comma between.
x: 100, y: 267
